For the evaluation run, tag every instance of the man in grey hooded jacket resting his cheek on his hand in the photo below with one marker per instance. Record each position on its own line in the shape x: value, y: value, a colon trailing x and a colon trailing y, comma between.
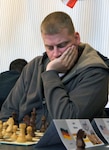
x: 69, y: 81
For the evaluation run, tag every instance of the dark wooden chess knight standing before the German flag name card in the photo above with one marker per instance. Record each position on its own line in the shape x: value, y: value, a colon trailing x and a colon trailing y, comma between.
x: 79, y: 140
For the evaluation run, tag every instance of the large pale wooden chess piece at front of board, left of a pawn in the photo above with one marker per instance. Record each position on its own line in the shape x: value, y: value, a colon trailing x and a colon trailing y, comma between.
x: 21, y: 137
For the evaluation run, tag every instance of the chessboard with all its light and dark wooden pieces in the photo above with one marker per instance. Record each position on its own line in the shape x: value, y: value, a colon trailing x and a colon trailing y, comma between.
x: 24, y: 133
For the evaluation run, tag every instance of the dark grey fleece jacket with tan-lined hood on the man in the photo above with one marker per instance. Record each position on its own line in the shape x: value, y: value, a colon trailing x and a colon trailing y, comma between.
x: 81, y: 93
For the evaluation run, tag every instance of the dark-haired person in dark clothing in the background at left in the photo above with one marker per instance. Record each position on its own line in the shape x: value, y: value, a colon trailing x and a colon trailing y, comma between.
x: 9, y: 78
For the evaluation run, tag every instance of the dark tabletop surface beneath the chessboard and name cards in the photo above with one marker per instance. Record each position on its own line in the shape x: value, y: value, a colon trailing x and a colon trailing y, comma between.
x: 56, y: 147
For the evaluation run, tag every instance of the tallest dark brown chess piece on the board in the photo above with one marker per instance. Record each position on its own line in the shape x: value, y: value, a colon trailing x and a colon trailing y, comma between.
x: 33, y: 121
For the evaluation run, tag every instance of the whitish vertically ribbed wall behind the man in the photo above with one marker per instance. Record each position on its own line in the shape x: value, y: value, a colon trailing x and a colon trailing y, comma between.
x: 20, y: 26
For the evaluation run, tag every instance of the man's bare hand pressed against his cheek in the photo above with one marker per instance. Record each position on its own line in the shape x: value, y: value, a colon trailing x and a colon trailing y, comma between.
x: 65, y: 61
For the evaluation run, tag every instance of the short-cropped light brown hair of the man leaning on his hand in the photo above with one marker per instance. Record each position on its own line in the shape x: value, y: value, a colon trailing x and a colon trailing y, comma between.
x: 55, y: 22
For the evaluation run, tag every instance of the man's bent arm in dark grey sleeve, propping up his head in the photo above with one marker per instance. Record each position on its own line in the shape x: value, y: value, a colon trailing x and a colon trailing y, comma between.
x: 84, y: 96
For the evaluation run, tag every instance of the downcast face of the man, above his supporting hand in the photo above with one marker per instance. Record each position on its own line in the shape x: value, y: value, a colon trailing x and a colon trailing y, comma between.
x: 57, y: 44
